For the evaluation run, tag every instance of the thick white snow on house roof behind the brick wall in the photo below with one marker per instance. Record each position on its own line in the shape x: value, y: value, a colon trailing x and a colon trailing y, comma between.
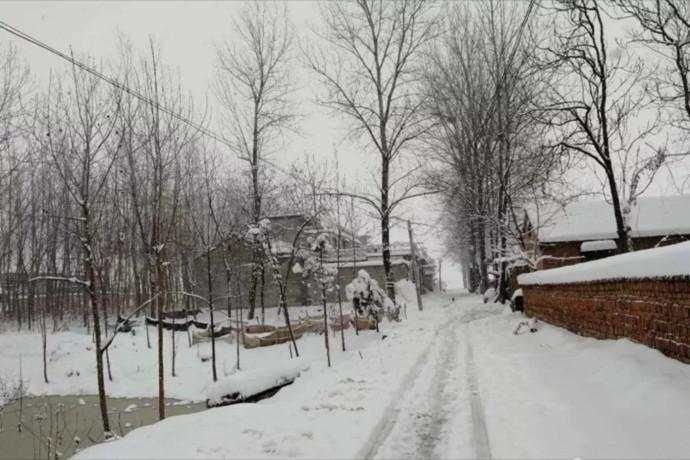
x: 594, y: 220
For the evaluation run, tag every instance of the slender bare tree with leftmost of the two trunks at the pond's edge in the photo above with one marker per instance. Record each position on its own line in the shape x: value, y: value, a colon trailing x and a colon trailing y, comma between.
x: 79, y: 134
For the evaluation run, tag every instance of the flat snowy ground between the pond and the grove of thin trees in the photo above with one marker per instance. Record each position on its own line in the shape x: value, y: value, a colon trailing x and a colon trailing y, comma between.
x: 72, y: 368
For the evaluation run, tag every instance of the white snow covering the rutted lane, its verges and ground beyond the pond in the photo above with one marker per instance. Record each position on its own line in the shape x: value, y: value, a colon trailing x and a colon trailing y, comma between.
x: 451, y: 381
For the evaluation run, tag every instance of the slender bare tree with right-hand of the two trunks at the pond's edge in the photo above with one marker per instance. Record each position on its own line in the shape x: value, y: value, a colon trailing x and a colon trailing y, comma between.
x: 154, y: 142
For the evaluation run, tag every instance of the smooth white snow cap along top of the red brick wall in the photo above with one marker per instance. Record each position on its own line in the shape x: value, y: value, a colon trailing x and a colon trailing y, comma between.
x: 664, y: 262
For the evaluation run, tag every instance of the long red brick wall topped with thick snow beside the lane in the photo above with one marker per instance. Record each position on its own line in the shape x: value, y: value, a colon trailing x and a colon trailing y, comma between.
x: 643, y: 296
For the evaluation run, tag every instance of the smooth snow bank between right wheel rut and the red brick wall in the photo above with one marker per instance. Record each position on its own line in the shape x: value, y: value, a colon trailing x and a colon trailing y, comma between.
x: 554, y: 394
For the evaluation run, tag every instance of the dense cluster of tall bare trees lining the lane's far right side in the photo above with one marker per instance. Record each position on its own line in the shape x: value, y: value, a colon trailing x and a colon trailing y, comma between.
x: 482, y: 88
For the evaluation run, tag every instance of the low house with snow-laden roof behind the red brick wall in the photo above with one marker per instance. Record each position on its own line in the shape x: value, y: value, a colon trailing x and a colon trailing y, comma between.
x: 586, y: 230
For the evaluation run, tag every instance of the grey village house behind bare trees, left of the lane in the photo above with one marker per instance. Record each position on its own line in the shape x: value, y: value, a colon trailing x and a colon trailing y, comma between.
x: 231, y: 264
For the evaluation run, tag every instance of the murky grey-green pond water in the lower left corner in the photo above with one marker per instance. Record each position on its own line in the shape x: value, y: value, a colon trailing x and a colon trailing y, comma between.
x: 52, y: 423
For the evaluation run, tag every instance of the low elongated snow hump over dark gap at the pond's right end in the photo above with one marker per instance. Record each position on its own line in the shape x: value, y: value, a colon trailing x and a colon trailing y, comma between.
x: 244, y: 384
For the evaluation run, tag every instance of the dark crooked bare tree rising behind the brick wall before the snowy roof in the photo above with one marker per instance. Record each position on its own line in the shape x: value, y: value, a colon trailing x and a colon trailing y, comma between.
x: 597, y: 98
